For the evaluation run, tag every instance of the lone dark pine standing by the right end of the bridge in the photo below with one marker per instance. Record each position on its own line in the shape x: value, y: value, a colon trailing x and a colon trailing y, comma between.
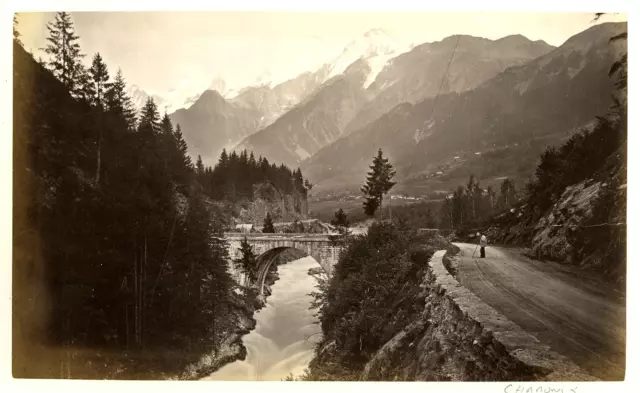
x: 378, y: 183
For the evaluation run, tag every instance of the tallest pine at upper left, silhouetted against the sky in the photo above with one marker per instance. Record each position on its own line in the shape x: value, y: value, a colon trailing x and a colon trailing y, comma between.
x: 64, y: 54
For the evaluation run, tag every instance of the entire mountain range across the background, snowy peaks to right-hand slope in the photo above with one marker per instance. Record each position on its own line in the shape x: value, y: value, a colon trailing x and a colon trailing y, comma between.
x: 422, y: 104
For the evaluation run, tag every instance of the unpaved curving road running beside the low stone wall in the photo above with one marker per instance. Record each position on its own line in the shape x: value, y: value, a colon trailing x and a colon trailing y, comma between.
x: 574, y: 314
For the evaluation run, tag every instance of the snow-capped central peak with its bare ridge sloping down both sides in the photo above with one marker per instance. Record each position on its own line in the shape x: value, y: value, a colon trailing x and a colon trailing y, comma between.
x: 366, y: 90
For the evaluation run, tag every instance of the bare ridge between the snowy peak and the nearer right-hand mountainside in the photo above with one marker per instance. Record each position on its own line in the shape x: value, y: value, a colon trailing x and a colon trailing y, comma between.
x: 418, y: 74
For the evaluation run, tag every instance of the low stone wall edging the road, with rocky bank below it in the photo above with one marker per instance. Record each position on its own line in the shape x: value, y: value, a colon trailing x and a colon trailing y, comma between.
x: 461, y: 338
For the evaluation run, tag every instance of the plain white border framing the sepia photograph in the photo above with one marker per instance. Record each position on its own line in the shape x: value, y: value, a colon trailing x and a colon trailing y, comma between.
x: 9, y: 384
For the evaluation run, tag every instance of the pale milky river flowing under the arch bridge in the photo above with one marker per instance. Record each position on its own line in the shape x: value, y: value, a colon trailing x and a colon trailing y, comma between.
x: 285, y: 335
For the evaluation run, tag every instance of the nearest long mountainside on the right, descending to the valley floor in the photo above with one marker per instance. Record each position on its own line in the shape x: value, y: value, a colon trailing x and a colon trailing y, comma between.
x: 547, y: 98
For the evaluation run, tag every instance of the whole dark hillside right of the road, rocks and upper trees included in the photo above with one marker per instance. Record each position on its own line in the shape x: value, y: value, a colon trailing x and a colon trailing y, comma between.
x: 574, y: 209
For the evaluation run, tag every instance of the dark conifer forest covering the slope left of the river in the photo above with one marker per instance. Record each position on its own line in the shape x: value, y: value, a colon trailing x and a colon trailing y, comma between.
x: 115, y: 234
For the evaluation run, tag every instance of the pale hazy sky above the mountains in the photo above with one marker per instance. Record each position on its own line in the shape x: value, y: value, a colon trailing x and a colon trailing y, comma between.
x: 162, y: 50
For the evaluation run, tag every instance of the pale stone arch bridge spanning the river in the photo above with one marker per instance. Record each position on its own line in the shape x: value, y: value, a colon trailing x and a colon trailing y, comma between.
x: 324, y: 248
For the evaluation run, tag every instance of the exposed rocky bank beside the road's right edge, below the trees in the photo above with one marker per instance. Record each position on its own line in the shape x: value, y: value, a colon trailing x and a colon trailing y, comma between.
x: 586, y: 226
